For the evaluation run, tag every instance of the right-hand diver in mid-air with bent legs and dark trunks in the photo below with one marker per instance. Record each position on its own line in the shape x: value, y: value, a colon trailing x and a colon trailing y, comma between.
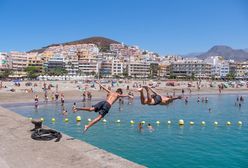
x: 155, y: 98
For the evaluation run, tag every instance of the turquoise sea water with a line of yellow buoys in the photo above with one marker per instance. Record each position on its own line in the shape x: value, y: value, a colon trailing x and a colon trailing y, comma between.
x: 166, y: 146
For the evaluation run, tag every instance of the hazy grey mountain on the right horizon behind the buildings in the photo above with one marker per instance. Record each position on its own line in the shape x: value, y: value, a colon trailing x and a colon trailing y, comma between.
x: 226, y: 52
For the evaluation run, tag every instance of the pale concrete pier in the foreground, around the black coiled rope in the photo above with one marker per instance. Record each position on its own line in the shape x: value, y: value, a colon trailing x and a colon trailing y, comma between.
x: 18, y: 150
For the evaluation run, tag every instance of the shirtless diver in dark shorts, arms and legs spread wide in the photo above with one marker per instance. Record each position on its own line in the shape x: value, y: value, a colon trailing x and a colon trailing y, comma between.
x: 103, y: 107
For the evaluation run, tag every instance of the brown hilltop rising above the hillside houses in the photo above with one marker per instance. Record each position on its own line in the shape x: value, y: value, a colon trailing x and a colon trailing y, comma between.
x: 102, y: 42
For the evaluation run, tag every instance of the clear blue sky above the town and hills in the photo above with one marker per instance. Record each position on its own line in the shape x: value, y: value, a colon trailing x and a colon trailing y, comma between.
x: 163, y: 26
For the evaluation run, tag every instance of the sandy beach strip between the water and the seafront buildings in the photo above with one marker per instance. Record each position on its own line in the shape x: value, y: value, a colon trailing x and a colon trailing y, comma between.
x: 73, y: 91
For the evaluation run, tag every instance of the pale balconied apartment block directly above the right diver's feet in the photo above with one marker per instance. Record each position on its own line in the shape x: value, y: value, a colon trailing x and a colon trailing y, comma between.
x: 138, y: 69
